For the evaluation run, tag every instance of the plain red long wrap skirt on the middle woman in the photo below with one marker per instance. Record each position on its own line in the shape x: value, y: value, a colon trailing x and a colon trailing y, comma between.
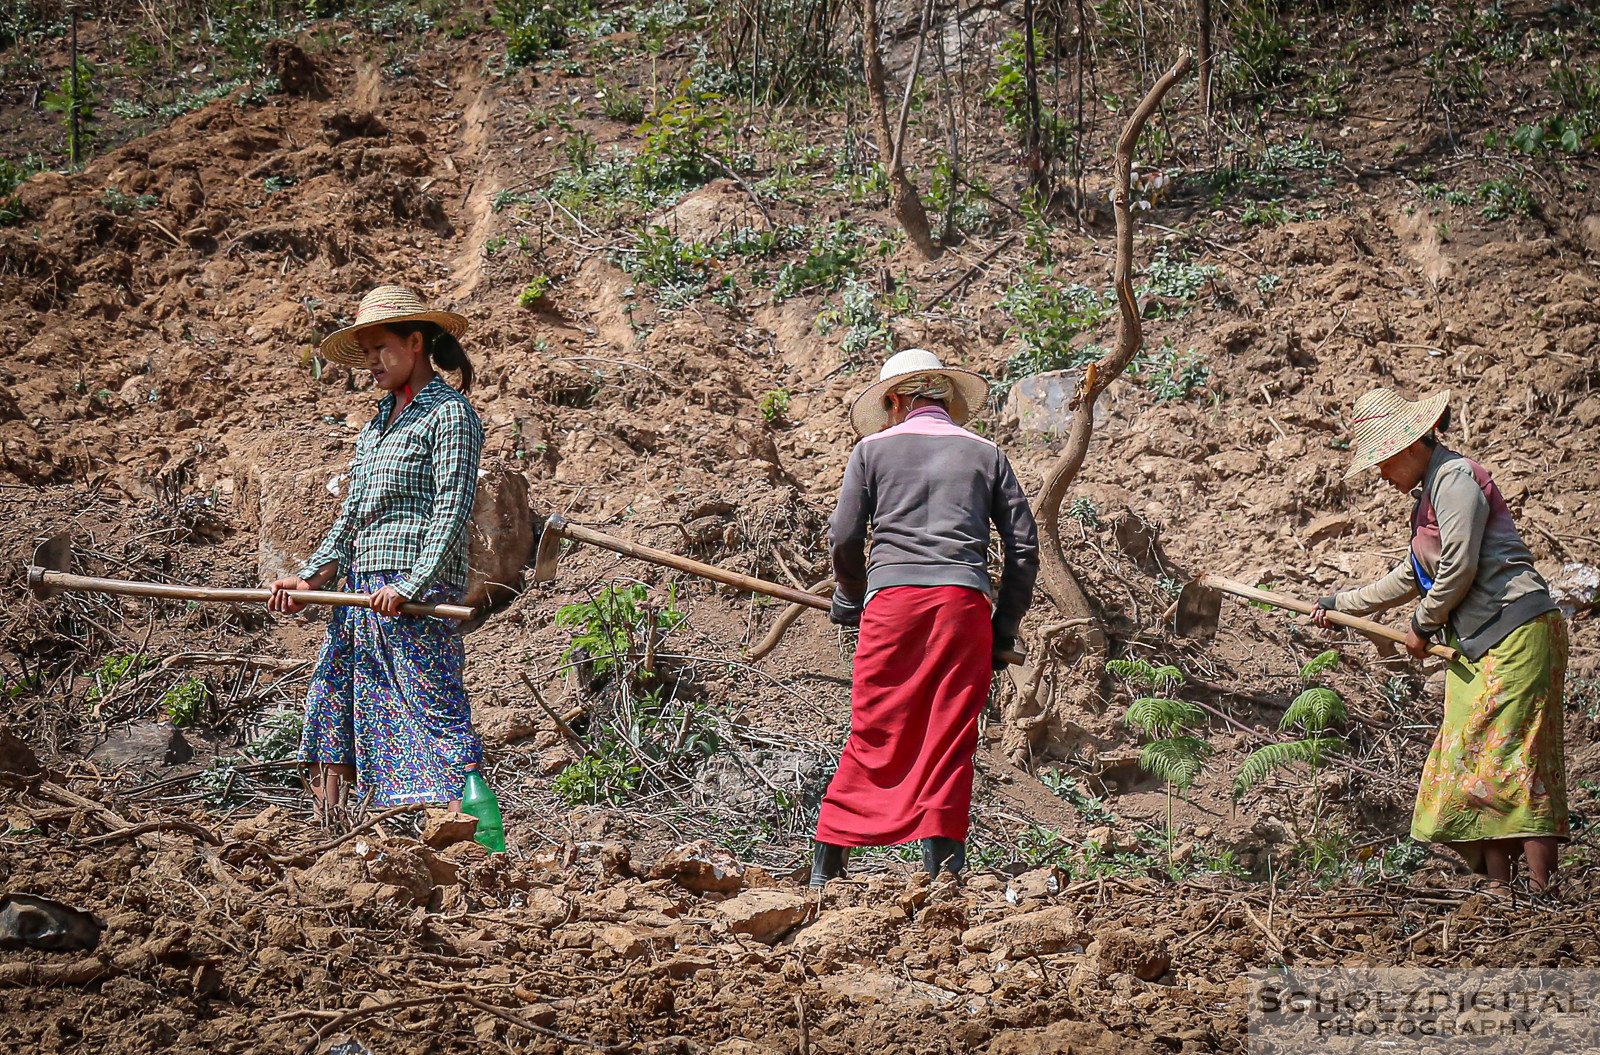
x: 921, y: 680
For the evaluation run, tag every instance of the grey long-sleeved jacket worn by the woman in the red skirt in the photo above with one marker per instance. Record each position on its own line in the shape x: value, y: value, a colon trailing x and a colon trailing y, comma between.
x: 930, y: 491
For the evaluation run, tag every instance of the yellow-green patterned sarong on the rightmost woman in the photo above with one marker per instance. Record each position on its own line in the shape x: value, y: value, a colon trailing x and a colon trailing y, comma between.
x: 1497, y: 768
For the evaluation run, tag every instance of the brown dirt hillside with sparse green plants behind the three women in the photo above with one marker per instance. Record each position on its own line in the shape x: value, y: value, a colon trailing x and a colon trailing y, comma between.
x: 676, y: 286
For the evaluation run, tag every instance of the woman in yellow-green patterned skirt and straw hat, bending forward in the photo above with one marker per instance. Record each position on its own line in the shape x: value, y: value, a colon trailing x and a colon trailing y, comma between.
x: 1495, y: 784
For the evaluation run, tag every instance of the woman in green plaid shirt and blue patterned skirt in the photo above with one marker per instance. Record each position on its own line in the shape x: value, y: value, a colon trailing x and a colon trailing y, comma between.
x: 386, y: 707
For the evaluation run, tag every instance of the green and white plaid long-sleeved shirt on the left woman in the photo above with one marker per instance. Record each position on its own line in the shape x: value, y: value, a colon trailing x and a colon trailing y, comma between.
x: 412, y: 489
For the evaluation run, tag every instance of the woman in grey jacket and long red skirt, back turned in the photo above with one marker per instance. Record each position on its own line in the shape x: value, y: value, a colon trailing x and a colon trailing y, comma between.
x: 930, y: 620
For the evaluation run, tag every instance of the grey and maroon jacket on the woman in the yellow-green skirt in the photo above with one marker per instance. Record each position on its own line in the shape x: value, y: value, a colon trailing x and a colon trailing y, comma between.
x: 1468, y: 563
